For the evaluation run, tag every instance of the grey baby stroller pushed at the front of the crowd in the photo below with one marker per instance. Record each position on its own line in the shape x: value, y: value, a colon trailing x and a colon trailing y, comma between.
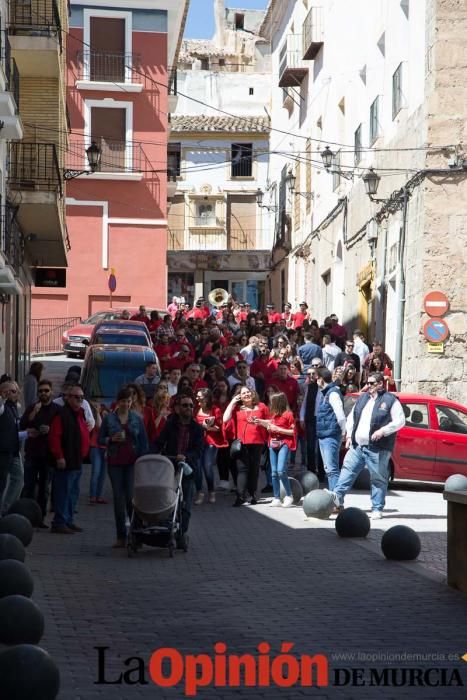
x: 157, y: 503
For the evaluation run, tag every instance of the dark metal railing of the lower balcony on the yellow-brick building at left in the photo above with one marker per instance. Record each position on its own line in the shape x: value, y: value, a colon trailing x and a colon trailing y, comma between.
x: 34, y: 166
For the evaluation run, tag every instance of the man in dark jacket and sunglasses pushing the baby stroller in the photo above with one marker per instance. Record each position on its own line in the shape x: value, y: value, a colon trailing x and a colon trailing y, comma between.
x: 182, y: 439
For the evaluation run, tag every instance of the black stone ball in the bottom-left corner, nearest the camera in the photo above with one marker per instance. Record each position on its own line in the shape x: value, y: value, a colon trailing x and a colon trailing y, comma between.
x: 28, y: 673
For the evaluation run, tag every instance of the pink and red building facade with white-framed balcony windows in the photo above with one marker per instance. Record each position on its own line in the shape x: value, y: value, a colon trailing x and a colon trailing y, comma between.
x: 119, y: 58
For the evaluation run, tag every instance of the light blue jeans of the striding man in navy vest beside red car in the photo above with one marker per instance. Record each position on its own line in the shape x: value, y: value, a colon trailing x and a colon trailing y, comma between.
x: 378, y: 466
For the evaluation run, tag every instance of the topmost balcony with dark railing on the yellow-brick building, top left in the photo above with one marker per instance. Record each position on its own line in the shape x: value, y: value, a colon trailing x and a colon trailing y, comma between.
x: 36, y: 37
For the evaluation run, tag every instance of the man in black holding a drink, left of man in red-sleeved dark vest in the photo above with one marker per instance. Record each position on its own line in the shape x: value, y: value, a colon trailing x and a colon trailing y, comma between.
x: 39, y: 462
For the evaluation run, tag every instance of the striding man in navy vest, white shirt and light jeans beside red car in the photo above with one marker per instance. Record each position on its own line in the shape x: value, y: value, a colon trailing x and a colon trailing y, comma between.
x: 371, y: 434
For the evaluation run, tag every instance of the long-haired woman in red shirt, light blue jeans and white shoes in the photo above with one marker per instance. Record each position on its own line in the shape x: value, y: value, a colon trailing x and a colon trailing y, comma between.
x: 281, y: 440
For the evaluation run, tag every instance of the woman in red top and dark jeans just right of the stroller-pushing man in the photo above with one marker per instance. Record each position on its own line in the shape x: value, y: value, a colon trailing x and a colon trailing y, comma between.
x: 209, y: 418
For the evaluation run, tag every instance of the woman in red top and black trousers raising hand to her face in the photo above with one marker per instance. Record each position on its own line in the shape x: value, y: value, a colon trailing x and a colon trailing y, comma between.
x: 243, y: 409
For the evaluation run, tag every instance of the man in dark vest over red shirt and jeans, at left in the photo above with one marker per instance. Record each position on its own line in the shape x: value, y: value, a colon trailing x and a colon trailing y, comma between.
x: 69, y: 443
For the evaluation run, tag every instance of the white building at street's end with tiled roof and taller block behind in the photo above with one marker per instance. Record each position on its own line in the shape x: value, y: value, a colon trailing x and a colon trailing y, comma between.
x: 218, y: 159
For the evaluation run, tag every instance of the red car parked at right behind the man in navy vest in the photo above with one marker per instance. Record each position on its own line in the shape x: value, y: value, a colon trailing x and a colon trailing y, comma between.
x: 433, y: 443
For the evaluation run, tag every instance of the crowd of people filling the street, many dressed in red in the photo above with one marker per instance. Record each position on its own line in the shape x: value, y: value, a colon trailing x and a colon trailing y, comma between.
x: 234, y: 391
